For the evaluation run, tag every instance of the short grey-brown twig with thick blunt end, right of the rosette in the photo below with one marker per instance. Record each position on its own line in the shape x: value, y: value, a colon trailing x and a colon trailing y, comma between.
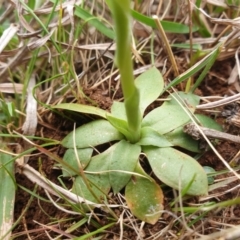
x: 193, y: 131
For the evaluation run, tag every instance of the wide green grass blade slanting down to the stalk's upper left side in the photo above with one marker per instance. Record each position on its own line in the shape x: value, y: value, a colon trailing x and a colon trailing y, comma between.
x: 94, y: 21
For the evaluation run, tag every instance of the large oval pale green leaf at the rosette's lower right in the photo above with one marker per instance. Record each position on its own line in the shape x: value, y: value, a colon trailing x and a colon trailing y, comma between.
x: 177, y: 170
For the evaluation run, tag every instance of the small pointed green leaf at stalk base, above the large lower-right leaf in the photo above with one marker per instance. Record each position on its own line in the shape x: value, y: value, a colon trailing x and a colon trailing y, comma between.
x: 150, y: 137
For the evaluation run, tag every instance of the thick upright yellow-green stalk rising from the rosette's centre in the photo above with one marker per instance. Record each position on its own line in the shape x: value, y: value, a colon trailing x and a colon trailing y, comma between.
x: 121, y: 15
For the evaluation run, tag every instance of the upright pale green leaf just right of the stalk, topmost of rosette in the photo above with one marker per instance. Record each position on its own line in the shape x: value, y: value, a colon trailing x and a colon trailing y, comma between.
x: 150, y: 85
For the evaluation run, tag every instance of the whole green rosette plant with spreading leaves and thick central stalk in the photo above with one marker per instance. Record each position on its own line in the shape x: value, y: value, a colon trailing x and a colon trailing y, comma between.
x: 134, y: 136
